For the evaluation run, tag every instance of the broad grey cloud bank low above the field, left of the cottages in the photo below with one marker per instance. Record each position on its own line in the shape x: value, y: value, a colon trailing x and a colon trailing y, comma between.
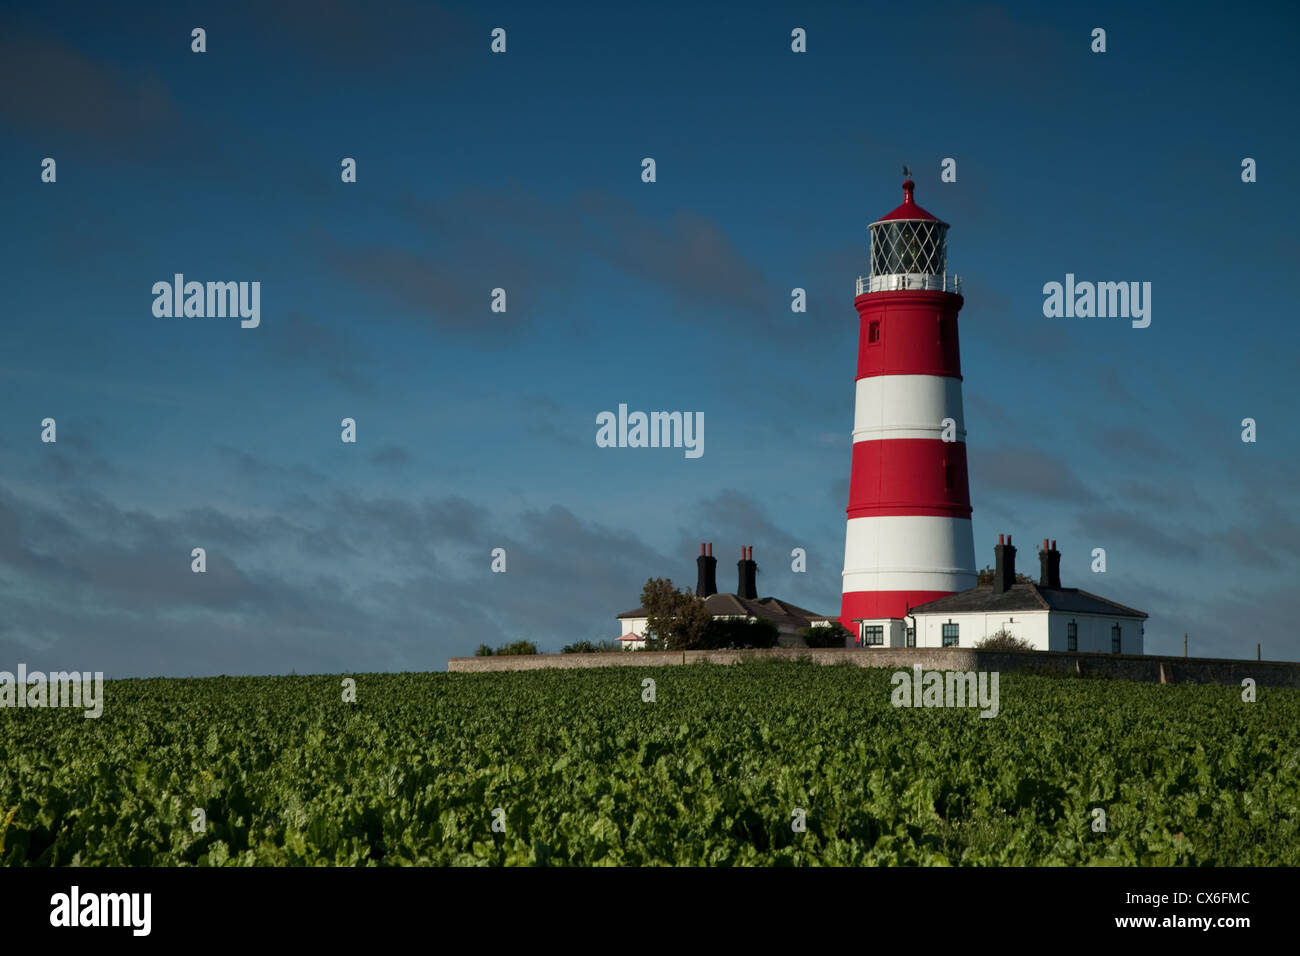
x: 341, y: 581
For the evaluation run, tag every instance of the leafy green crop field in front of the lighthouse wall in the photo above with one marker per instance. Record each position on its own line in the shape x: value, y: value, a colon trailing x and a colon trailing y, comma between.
x: 575, y: 768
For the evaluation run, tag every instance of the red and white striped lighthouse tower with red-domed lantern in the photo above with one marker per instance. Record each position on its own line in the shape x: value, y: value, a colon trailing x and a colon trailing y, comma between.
x: 909, y: 518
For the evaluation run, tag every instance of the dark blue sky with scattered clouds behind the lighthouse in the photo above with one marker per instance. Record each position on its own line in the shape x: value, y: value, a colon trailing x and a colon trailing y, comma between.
x: 523, y: 171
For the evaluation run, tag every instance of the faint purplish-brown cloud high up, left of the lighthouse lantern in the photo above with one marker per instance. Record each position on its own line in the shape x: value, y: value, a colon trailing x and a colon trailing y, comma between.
x: 474, y: 243
